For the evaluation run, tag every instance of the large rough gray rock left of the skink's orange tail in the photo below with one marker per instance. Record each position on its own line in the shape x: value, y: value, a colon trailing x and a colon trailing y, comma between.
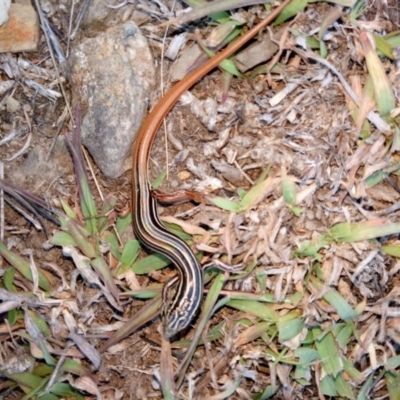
x: 112, y: 76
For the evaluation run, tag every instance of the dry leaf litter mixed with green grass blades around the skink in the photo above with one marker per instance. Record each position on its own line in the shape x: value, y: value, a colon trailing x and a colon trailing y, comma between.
x: 300, y: 174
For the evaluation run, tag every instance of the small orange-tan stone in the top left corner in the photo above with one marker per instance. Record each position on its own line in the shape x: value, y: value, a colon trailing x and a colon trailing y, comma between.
x: 21, y: 31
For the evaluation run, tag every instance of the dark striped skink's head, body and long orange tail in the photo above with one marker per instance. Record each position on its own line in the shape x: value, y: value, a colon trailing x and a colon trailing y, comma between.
x: 147, y: 226
